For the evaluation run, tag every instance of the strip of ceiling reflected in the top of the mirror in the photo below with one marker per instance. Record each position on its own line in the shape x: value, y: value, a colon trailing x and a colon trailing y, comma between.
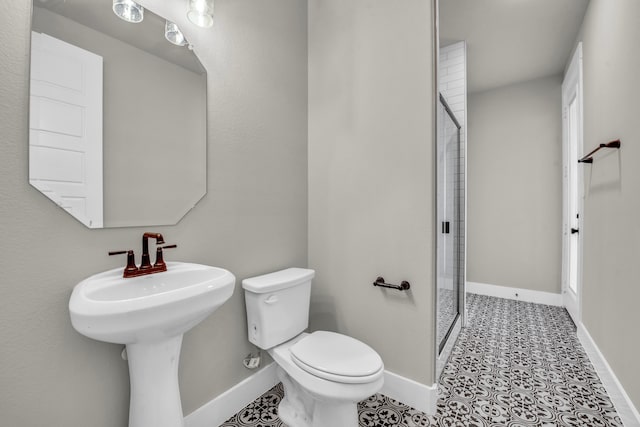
x: 147, y: 35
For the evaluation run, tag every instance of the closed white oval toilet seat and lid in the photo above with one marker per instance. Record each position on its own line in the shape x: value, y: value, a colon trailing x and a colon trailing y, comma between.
x: 336, y: 357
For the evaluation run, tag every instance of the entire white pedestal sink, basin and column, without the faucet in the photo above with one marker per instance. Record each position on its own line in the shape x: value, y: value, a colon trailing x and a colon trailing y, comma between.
x: 149, y: 314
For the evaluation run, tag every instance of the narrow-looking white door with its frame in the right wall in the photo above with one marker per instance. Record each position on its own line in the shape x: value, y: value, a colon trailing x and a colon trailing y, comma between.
x: 573, y: 192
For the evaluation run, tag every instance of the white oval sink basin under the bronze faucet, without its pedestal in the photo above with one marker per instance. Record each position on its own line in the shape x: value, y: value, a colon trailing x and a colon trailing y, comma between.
x: 107, y: 307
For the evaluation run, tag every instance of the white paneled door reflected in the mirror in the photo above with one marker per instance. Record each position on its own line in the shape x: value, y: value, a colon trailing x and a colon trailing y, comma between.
x: 65, y: 127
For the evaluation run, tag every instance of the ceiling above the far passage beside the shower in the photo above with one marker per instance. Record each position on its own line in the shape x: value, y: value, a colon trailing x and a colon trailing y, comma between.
x: 511, y: 41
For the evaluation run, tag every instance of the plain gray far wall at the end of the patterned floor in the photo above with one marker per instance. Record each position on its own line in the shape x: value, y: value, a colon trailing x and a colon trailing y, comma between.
x: 515, y: 186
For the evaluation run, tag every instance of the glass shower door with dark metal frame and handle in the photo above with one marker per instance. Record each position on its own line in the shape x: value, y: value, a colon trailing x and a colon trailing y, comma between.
x: 450, y: 216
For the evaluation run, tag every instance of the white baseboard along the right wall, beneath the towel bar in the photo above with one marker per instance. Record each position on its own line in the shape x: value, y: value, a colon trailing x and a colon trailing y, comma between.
x: 625, y: 408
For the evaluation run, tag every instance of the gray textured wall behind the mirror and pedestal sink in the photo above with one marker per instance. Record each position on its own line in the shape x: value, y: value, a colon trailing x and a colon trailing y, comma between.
x: 252, y: 220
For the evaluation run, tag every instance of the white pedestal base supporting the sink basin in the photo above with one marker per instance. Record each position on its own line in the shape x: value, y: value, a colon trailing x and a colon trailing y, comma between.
x: 153, y: 373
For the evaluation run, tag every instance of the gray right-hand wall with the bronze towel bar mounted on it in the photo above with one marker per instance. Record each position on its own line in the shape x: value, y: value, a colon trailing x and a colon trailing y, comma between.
x: 610, y: 292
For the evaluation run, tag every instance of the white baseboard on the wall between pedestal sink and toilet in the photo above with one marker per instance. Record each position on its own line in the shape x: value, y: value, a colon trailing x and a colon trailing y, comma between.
x: 229, y: 403
